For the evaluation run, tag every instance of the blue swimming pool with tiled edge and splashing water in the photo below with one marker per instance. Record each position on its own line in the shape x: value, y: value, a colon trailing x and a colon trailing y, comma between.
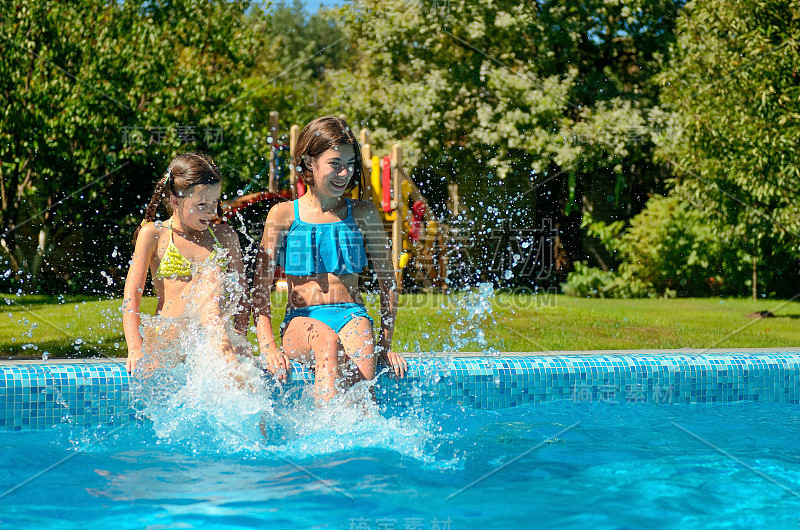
x: 603, y: 441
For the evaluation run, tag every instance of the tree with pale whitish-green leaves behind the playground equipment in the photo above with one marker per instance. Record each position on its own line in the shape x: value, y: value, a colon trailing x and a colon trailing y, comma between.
x: 535, y: 109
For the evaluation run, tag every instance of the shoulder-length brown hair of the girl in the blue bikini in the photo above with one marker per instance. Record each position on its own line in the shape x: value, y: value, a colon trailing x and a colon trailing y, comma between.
x: 327, y: 132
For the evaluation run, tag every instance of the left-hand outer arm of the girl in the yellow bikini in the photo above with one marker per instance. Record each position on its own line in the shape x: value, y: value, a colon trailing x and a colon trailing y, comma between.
x: 143, y: 254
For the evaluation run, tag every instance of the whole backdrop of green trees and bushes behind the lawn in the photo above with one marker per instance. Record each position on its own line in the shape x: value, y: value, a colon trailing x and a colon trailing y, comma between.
x: 538, y: 110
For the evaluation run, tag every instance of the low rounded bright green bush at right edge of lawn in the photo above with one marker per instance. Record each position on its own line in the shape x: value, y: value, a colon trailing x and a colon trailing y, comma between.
x: 672, y: 249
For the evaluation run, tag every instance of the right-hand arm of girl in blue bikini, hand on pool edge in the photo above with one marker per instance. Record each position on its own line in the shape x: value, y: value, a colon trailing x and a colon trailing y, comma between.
x: 380, y: 250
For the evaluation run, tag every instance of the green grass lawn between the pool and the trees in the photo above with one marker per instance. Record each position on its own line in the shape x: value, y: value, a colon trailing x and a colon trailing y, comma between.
x: 79, y: 326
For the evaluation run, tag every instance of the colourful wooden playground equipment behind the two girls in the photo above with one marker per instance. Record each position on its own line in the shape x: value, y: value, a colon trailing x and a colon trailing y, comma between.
x: 418, y: 238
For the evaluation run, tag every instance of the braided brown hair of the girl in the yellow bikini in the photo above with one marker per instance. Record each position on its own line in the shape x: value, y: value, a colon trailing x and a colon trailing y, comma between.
x: 184, y: 173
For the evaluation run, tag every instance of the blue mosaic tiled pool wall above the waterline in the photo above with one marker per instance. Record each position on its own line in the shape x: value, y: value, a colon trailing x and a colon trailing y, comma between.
x: 37, y: 394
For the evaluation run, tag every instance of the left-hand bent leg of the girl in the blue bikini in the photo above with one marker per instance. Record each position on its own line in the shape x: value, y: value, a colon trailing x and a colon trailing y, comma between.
x: 309, y: 340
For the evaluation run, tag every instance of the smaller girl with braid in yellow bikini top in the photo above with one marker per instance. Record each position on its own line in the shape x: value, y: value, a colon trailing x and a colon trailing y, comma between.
x: 186, y: 258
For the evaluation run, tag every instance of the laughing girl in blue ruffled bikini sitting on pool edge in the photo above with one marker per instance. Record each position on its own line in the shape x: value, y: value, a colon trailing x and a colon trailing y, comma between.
x: 322, y: 240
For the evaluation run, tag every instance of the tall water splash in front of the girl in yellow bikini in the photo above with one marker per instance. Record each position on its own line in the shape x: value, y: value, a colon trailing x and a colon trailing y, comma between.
x: 198, y: 382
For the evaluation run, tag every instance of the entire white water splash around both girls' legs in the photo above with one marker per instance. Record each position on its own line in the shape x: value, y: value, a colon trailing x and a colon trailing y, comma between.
x: 198, y: 398
